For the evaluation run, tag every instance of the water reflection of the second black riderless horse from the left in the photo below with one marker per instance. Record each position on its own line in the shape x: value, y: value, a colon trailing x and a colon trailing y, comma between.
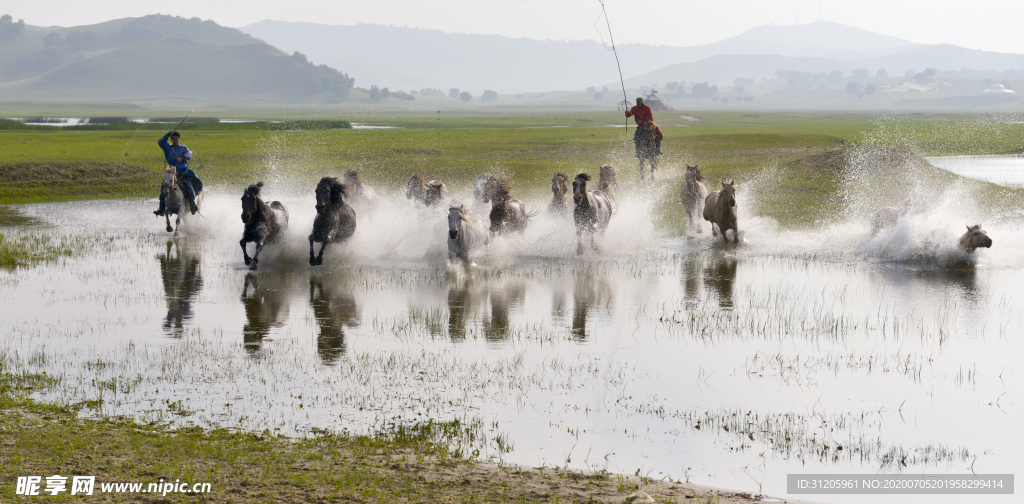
x: 333, y: 312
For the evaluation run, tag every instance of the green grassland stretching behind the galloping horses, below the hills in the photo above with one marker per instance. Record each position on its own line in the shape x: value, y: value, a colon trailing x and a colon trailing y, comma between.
x: 806, y: 153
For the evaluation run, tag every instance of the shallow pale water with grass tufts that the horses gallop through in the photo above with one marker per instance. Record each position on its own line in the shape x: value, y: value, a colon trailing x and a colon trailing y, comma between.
x: 674, y: 357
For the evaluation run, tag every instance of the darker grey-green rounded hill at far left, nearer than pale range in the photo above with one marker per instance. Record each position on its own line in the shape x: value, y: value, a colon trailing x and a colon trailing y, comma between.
x: 160, y: 58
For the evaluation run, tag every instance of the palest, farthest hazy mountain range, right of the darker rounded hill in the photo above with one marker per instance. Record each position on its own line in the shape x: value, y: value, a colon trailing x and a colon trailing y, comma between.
x: 412, y: 59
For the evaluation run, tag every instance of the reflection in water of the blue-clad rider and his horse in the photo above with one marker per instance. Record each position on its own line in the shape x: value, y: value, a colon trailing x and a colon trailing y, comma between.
x: 183, y: 278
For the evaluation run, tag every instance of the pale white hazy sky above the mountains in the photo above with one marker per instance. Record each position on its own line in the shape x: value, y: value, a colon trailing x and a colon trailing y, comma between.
x: 990, y: 25
